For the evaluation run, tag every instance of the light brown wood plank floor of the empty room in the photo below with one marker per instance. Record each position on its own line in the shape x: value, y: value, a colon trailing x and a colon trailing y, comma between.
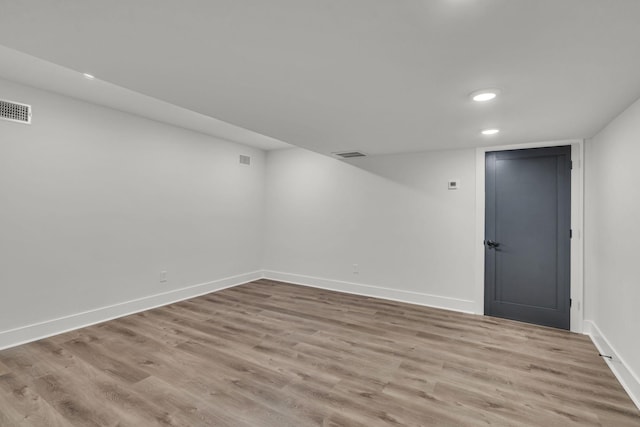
x: 272, y: 354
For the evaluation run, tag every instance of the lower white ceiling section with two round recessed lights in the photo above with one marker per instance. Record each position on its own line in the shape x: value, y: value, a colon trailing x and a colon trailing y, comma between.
x: 381, y: 76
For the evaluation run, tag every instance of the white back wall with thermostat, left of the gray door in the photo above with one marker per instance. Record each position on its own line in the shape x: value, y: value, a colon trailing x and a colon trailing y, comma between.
x: 393, y: 216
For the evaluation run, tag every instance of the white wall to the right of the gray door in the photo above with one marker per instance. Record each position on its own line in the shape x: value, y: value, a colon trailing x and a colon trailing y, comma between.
x: 612, y: 236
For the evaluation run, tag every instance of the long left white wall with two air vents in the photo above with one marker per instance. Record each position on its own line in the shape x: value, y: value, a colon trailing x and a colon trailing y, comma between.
x: 94, y: 203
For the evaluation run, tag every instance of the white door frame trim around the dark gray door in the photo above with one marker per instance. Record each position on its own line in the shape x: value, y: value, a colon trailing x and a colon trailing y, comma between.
x: 577, y: 219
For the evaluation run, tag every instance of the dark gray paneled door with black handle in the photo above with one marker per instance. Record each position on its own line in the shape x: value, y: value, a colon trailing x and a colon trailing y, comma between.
x: 527, y: 232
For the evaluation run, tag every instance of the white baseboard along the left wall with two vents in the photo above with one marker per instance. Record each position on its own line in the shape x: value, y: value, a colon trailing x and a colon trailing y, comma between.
x: 36, y: 331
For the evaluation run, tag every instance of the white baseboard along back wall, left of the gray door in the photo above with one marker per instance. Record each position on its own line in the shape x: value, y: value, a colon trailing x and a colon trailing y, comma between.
x: 411, y: 297
